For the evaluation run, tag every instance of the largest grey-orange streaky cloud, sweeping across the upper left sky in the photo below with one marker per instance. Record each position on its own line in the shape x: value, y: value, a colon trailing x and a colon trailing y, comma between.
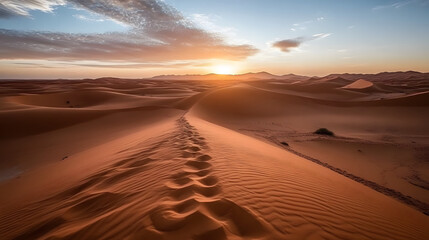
x: 157, y: 32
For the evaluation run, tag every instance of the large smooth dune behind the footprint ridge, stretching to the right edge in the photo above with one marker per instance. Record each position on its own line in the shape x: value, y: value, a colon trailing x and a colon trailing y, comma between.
x: 235, y: 103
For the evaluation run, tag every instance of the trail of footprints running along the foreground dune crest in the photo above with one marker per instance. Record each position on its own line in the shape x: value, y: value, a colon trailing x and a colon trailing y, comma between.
x: 195, y: 208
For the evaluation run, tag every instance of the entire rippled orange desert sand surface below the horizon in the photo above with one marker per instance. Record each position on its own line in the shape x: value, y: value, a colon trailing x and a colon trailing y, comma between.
x: 168, y: 159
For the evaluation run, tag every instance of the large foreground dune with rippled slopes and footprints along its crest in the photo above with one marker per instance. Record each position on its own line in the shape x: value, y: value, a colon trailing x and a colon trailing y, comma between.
x: 207, y: 182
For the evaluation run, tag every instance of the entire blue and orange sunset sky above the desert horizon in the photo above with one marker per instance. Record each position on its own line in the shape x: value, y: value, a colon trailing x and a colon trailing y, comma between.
x: 44, y: 39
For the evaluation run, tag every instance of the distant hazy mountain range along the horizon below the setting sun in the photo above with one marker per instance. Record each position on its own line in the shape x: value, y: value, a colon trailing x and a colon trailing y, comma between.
x: 391, y: 76
